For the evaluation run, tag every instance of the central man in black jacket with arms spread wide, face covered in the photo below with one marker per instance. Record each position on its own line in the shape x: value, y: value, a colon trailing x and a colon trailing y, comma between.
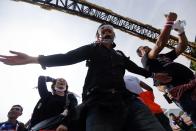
x: 109, y: 106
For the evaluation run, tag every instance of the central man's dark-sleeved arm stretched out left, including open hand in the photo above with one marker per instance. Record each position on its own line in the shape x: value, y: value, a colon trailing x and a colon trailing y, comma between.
x: 71, y: 57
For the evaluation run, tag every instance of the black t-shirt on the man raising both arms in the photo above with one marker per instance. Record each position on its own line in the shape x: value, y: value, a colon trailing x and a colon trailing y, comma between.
x: 164, y: 63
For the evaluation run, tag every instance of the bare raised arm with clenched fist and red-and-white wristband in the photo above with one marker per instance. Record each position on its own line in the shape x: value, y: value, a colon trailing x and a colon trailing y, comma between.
x: 163, y: 37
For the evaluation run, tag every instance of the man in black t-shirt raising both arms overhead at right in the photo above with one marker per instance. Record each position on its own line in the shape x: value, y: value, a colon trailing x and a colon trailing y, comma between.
x: 155, y: 62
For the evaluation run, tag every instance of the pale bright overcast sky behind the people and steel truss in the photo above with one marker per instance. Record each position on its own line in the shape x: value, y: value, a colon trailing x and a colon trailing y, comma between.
x: 30, y: 29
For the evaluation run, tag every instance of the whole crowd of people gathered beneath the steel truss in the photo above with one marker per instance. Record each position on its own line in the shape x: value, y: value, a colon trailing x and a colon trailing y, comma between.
x: 110, y: 101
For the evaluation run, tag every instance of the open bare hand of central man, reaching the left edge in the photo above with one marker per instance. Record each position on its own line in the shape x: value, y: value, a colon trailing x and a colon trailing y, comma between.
x: 18, y: 59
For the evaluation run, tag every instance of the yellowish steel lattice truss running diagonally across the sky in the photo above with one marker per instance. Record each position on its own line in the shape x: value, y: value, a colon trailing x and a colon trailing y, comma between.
x: 100, y: 14
